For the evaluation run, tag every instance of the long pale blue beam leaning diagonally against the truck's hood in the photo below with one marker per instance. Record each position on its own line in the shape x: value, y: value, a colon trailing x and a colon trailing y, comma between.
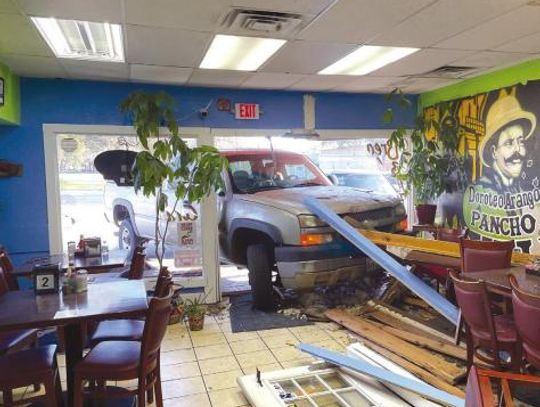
x: 400, y: 272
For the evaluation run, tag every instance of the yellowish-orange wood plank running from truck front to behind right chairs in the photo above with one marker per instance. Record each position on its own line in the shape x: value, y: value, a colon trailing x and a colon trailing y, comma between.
x: 439, y: 247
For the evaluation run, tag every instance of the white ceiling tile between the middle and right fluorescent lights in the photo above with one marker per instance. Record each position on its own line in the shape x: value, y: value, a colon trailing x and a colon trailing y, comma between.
x: 307, y: 57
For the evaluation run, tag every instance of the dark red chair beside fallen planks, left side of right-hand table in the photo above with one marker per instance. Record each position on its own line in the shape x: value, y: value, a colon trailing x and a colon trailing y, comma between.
x: 483, y: 330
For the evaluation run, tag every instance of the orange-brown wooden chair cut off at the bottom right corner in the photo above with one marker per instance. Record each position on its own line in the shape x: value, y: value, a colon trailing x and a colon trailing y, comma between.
x: 480, y: 384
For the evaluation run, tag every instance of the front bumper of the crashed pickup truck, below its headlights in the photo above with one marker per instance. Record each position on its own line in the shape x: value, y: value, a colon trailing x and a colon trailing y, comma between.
x: 307, y: 267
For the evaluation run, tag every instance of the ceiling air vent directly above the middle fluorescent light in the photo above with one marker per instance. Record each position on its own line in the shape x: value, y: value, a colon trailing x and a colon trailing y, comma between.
x: 243, y: 21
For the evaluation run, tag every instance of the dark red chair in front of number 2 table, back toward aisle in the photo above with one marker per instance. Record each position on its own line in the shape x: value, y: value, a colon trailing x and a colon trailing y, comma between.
x: 127, y: 360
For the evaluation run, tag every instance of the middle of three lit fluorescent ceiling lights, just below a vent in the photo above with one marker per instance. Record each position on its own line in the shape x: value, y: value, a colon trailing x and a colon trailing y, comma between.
x: 239, y: 53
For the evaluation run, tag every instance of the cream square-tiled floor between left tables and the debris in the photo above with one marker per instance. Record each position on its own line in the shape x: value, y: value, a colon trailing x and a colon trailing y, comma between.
x: 199, y: 369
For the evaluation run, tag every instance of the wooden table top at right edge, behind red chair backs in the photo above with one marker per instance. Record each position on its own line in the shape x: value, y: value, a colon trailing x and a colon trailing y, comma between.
x: 498, y: 278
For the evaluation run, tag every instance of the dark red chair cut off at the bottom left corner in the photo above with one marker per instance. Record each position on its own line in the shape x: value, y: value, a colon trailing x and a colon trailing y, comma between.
x: 36, y: 365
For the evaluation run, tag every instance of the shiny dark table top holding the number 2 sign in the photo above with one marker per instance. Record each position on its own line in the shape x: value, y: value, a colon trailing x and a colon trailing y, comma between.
x: 110, y: 299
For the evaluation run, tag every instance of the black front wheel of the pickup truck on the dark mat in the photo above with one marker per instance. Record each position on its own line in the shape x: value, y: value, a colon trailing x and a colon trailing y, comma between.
x: 260, y: 276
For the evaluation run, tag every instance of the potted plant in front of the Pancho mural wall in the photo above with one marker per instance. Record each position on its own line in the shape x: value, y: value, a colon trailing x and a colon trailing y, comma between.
x: 430, y: 162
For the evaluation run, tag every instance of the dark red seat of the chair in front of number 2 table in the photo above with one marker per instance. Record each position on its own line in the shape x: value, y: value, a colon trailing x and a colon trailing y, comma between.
x: 110, y: 360
